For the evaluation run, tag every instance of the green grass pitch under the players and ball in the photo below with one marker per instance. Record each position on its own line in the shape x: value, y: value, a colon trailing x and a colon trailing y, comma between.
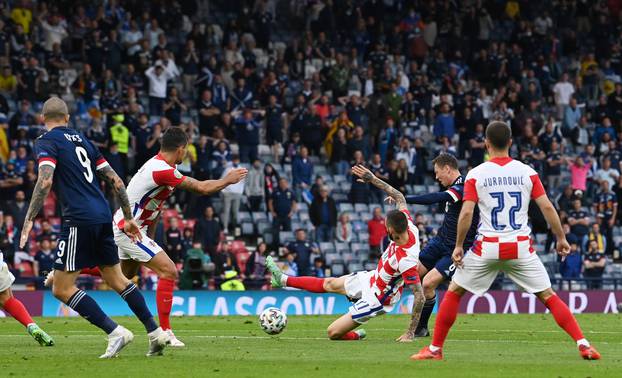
x: 479, y: 345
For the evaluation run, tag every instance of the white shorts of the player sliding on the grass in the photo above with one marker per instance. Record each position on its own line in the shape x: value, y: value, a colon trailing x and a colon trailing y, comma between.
x: 367, y: 305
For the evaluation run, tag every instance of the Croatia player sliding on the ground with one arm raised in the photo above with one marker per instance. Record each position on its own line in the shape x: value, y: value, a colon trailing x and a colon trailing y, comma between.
x: 373, y: 292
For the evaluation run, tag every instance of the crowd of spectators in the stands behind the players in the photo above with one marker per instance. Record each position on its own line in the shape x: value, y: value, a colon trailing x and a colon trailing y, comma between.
x: 301, y: 90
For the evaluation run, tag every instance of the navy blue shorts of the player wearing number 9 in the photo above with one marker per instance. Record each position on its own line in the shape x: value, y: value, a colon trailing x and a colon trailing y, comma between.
x: 85, y: 246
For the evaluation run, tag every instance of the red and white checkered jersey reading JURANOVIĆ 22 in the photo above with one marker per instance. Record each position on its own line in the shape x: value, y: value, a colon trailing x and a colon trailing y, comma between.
x: 502, y: 189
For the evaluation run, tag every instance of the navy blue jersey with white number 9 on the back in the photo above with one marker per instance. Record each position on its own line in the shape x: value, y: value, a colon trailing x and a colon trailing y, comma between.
x: 75, y: 160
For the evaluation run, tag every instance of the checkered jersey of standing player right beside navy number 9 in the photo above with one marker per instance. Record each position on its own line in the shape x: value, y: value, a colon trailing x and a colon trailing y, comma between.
x: 150, y: 187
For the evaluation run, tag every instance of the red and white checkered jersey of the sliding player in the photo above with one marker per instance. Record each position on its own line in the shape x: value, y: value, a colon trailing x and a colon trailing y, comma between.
x: 397, y: 267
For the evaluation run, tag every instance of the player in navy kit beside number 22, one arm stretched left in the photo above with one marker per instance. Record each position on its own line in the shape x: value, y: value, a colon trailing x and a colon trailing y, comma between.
x: 436, y: 265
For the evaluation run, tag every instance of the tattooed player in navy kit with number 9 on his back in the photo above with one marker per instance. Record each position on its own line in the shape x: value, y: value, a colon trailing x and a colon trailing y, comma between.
x: 69, y: 164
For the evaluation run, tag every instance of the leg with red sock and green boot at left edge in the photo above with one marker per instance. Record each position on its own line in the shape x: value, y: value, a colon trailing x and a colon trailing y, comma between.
x: 17, y: 310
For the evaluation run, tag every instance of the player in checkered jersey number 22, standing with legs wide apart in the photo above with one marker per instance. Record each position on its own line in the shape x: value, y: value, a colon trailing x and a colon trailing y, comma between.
x: 502, y: 189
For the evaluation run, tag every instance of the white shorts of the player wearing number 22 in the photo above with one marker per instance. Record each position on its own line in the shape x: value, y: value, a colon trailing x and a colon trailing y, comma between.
x: 479, y: 273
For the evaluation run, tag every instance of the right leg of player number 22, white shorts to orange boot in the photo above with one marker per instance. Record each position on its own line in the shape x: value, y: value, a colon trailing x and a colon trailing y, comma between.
x: 531, y: 275
